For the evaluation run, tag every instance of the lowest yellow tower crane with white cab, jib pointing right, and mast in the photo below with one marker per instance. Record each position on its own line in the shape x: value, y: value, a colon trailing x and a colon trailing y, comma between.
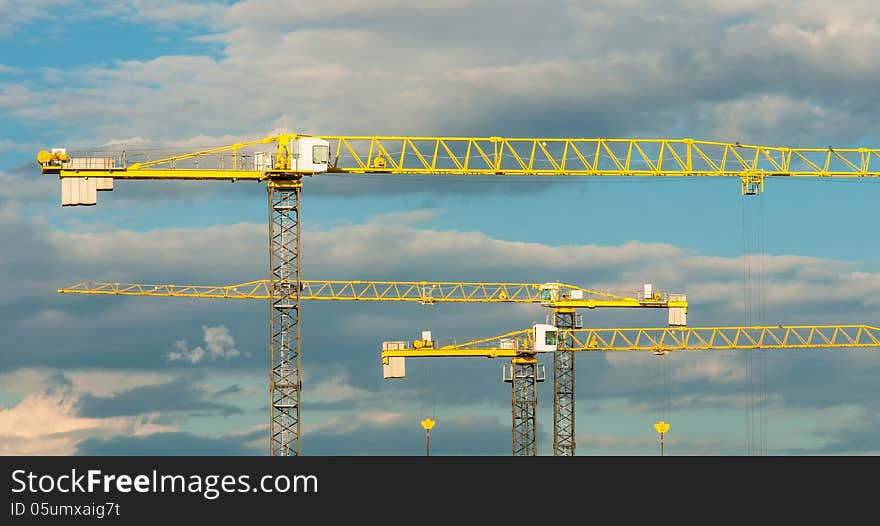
x: 523, y: 346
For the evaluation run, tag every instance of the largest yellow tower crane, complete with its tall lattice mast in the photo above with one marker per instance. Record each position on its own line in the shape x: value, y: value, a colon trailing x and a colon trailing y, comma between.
x: 282, y: 162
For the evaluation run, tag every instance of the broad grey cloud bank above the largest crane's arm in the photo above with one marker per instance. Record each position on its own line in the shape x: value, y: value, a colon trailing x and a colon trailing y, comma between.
x: 687, y: 70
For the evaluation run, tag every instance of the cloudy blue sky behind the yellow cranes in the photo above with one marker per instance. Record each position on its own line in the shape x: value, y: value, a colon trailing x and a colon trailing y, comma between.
x: 110, y: 375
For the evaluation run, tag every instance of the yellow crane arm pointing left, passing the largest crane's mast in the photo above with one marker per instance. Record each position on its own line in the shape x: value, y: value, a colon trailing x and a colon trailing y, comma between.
x: 427, y: 292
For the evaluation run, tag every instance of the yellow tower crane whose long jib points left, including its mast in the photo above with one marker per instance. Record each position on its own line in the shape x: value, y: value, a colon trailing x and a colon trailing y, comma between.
x: 563, y: 298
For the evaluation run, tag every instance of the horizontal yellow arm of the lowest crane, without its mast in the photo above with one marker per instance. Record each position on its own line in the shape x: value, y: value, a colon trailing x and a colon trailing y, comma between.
x: 658, y: 340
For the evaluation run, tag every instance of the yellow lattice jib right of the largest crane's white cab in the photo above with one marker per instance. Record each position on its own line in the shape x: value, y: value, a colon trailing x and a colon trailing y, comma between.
x: 593, y: 156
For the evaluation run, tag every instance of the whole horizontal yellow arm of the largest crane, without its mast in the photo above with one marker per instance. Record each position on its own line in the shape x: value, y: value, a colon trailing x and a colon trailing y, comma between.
x: 275, y: 157
